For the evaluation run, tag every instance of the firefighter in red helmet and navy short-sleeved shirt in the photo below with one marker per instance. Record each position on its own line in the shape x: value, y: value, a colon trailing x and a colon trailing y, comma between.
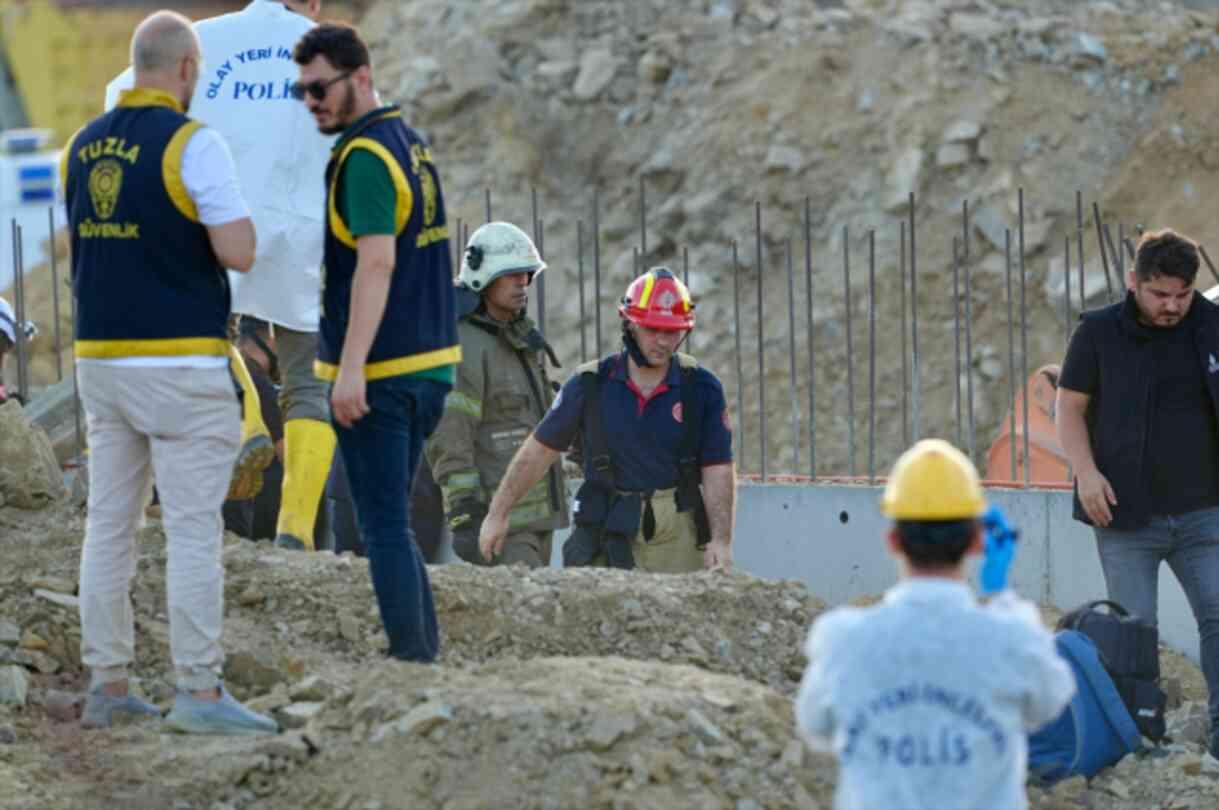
x: 660, y: 484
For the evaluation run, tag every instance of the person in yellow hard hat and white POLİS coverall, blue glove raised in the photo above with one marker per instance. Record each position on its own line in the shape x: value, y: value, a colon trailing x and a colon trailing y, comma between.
x: 927, y: 698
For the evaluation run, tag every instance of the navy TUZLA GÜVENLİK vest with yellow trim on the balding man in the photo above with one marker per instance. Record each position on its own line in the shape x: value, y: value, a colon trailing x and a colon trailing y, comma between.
x: 144, y: 274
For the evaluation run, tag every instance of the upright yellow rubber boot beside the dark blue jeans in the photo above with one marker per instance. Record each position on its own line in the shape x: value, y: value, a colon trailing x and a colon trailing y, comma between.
x: 309, y: 450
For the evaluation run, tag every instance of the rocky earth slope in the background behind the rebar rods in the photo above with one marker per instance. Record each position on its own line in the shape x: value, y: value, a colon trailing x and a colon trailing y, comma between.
x: 854, y: 104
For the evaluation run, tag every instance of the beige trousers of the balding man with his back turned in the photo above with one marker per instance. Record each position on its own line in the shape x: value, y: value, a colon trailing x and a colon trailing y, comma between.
x: 182, y: 426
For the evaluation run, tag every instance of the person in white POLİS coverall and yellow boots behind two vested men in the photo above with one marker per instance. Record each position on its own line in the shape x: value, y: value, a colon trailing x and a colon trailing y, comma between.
x: 246, y: 93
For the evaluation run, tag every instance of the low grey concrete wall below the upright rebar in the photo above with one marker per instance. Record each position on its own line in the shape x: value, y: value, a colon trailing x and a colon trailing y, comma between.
x: 832, y: 539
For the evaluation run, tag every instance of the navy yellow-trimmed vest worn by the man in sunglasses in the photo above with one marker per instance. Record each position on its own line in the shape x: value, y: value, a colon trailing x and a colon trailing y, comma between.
x: 420, y: 328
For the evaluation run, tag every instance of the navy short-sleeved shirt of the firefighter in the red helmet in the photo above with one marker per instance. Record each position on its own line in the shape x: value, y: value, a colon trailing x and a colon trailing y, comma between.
x: 644, y: 434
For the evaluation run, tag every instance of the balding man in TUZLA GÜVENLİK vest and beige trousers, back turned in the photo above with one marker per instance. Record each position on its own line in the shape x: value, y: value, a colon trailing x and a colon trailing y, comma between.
x: 155, y: 217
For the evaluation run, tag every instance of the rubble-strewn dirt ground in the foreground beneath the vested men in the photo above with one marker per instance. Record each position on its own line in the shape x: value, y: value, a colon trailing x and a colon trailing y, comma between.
x: 554, y: 690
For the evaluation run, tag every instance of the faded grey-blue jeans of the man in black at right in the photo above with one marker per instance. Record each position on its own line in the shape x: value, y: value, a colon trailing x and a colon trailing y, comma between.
x: 1190, y: 546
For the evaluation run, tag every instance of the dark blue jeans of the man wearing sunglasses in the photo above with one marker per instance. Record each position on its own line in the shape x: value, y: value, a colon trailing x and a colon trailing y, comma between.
x: 381, y: 454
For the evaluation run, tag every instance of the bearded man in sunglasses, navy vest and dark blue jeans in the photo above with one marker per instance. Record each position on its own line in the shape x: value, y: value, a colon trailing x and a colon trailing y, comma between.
x: 389, y: 330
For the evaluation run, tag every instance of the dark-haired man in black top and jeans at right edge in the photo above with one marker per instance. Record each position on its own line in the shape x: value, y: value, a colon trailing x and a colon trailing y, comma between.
x: 1138, y: 418
